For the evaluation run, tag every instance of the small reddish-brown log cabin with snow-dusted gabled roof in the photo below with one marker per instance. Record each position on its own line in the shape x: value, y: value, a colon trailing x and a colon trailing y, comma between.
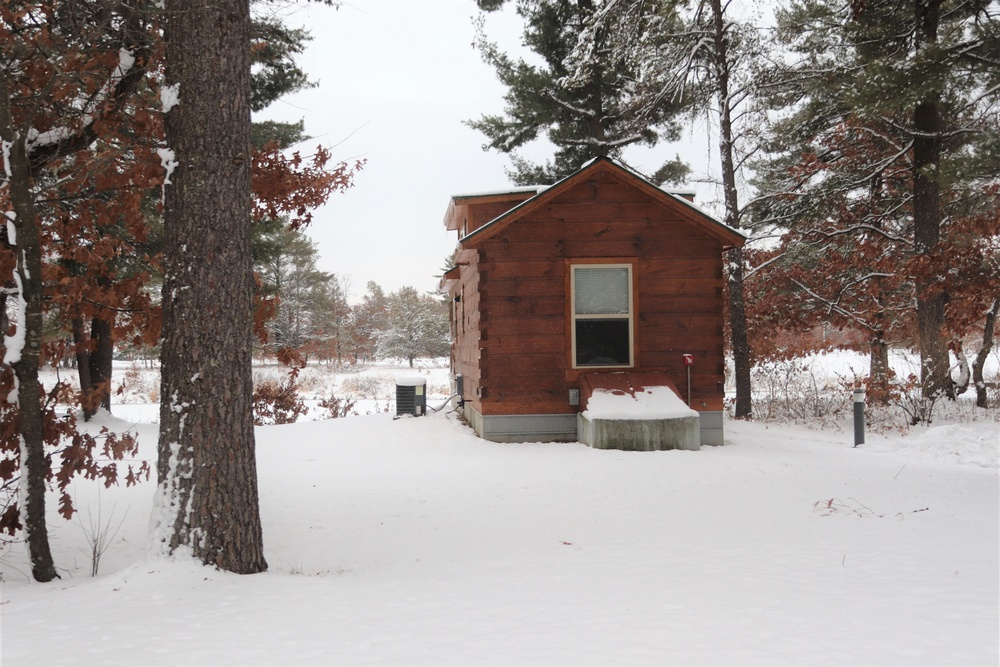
x: 601, y: 283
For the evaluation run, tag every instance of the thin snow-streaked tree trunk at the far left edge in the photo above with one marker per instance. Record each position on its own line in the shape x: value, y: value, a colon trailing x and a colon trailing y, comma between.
x: 28, y: 275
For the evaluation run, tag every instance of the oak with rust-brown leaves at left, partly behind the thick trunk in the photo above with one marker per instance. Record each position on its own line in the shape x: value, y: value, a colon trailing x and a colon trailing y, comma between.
x: 81, y: 194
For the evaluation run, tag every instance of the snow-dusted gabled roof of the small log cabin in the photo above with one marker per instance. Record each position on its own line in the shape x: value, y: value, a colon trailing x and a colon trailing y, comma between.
x: 544, y: 194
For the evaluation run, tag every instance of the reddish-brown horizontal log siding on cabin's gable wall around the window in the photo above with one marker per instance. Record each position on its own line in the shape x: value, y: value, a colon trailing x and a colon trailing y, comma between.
x: 525, y: 365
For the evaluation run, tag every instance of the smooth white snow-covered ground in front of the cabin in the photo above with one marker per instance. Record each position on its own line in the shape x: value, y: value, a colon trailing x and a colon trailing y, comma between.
x: 410, y: 541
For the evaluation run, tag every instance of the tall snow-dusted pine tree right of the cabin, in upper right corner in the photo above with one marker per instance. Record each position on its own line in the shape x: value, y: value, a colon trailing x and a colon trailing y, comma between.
x: 917, y: 84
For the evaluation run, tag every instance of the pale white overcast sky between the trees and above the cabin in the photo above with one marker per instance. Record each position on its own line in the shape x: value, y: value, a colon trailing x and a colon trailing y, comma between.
x: 397, y: 78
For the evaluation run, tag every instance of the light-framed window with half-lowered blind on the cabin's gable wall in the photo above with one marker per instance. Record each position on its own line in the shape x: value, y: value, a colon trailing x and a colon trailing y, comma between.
x: 602, y: 314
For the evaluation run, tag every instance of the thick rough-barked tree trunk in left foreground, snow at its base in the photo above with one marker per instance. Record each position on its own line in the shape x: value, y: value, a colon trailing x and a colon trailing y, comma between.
x: 207, y: 496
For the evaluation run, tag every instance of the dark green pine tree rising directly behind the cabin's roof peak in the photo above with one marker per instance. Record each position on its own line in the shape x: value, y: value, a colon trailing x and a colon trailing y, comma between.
x: 587, y: 97
